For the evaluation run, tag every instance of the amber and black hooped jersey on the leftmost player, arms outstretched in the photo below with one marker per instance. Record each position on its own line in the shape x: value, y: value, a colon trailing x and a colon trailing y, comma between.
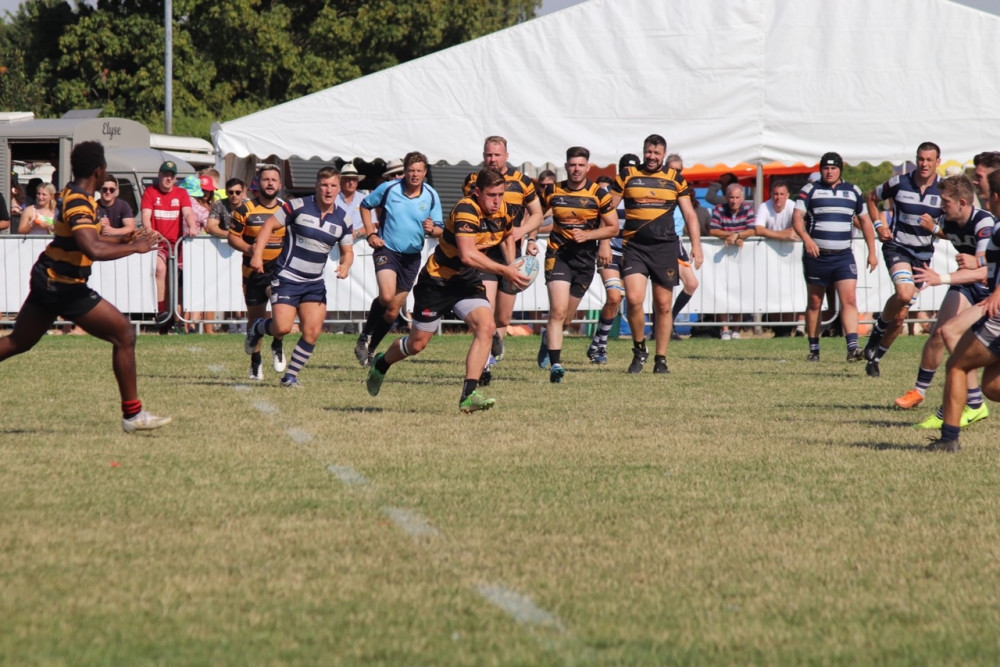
x: 63, y: 258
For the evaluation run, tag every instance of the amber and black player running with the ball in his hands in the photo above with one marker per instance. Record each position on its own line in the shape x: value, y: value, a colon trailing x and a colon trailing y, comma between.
x: 451, y: 280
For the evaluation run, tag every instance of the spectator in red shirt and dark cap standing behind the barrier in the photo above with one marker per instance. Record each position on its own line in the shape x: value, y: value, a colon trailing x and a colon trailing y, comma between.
x: 167, y: 209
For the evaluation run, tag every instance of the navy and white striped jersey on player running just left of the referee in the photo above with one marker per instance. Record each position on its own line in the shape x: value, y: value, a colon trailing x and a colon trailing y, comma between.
x: 310, y: 237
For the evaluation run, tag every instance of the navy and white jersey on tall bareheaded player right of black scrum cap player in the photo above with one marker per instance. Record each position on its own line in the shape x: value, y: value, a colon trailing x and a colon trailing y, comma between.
x: 909, y: 205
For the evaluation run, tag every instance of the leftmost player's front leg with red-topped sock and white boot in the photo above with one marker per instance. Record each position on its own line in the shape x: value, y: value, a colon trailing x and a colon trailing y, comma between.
x: 106, y: 322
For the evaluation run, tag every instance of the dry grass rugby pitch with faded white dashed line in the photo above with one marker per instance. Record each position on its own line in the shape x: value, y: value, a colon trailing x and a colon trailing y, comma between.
x: 748, y: 508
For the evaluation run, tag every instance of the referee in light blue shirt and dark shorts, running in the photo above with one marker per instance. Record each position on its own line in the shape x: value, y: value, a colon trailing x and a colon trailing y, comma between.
x: 412, y: 210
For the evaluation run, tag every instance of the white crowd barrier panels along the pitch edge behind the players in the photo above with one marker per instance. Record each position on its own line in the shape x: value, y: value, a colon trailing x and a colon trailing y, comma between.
x: 762, y: 278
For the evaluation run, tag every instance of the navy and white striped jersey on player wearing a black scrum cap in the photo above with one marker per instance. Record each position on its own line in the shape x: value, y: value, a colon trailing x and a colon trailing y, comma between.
x: 830, y: 212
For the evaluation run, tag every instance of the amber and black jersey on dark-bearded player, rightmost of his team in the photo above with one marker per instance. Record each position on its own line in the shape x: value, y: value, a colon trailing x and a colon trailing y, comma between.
x: 650, y: 199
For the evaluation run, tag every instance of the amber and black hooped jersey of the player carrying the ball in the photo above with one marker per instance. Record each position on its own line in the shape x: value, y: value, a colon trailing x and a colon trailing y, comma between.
x: 467, y: 219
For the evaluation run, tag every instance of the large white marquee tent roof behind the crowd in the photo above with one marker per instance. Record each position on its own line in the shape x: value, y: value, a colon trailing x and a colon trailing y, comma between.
x: 726, y: 81
